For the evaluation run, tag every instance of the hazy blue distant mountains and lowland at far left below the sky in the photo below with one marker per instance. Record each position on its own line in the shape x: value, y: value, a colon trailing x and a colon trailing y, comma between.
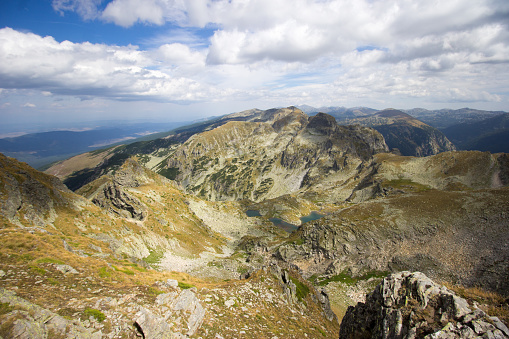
x: 39, y: 149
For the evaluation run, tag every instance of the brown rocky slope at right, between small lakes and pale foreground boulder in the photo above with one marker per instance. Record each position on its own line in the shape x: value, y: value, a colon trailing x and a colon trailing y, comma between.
x: 455, y: 236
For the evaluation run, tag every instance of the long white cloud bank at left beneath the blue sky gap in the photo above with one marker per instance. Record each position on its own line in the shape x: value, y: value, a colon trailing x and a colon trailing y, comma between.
x: 87, y: 69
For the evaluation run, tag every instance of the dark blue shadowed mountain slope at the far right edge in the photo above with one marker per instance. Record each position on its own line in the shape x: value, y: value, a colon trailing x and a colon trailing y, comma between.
x: 491, y: 134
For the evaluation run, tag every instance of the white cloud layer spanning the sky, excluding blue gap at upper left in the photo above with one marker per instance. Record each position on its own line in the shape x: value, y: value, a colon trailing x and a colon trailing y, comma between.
x: 321, y: 51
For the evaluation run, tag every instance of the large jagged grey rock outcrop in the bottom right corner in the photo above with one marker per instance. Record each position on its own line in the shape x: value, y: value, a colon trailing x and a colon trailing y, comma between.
x: 410, y: 305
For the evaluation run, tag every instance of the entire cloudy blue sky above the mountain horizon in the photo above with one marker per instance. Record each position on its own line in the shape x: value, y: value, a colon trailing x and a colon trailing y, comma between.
x: 69, y: 61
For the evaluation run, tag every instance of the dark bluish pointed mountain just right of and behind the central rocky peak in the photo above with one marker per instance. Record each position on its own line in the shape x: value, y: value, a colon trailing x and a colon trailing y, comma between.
x: 405, y: 133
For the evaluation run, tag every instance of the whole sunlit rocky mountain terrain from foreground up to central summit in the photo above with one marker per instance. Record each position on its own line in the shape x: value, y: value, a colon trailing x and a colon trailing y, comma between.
x: 259, y: 224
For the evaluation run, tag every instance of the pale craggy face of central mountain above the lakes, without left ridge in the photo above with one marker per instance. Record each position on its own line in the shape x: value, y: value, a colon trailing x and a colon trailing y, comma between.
x: 280, y: 152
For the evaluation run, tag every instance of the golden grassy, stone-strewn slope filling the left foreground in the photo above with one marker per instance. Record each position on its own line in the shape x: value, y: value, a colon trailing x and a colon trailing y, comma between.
x: 90, y: 261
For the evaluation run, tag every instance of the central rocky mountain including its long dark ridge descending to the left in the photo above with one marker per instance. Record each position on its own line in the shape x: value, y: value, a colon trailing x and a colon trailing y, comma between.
x: 254, y: 148
